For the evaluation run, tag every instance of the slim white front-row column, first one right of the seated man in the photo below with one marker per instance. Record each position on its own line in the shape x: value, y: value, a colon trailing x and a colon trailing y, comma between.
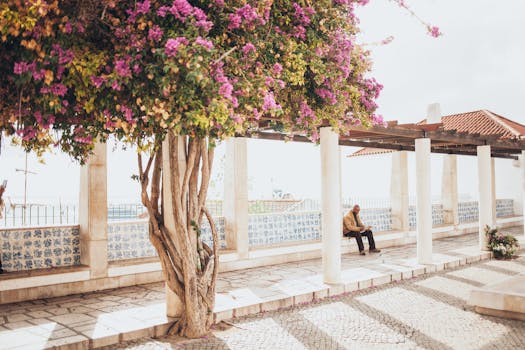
x: 423, y: 202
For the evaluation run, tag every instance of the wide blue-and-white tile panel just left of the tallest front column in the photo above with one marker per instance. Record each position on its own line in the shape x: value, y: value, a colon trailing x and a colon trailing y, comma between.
x: 267, y: 229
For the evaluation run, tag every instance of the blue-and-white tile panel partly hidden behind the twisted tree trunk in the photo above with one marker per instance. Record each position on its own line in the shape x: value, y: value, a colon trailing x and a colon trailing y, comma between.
x: 130, y: 240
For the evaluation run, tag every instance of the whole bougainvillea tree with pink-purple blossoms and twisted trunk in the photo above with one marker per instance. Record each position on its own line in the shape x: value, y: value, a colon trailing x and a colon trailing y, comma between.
x: 173, y: 77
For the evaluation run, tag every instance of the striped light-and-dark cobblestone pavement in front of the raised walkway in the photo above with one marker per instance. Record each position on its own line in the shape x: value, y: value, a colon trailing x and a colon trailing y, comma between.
x: 426, y: 312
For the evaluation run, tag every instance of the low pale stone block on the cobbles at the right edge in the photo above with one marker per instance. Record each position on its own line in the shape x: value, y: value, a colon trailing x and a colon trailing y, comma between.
x: 502, y: 299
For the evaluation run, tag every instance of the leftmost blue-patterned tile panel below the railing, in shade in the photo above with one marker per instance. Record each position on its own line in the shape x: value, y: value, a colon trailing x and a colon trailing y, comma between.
x: 36, y: 248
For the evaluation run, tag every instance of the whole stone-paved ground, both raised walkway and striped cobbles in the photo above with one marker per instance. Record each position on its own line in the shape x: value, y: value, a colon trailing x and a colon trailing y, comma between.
x: 384, y: 316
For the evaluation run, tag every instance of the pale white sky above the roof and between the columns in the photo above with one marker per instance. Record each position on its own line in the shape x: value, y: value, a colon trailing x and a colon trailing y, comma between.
x: 476, y: 64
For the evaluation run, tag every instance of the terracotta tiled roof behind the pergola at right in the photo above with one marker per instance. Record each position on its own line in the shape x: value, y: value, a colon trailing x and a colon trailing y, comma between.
x: 478, y: 122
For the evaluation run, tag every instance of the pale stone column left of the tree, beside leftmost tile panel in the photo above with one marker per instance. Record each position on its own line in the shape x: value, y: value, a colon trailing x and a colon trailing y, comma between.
x: 93, y: 213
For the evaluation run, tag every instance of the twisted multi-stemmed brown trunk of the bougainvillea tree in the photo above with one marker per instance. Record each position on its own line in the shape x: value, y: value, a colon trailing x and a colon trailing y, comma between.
x: 174, y: 184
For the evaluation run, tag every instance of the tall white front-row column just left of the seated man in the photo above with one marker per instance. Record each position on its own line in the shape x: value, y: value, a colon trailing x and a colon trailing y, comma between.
x: 331, y: 214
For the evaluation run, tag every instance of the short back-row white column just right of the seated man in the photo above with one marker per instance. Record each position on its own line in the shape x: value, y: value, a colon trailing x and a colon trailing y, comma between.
x: 399, y: 191
